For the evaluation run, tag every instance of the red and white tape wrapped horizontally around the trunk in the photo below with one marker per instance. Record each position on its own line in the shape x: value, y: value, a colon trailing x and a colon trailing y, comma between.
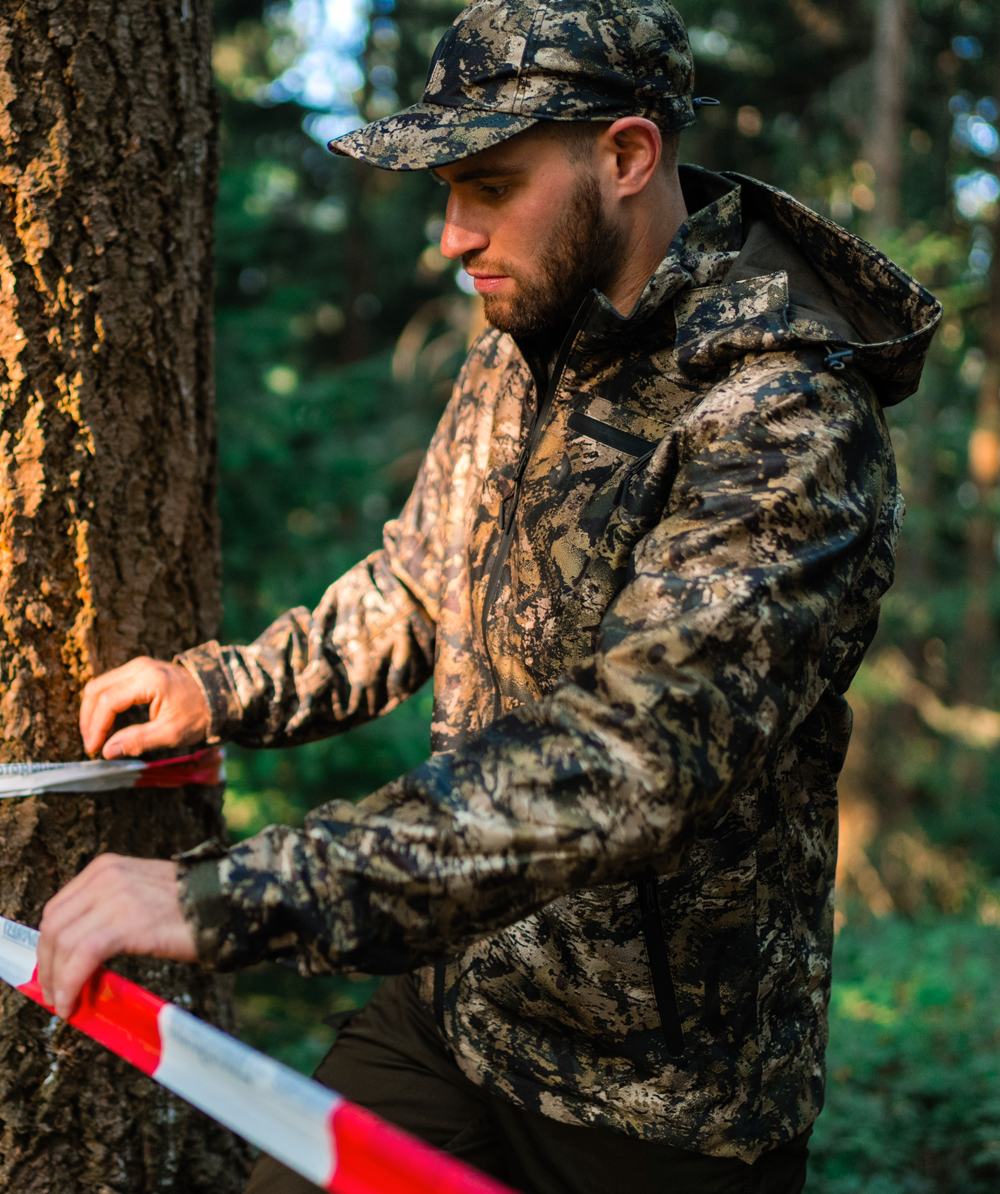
x: 107, y: 774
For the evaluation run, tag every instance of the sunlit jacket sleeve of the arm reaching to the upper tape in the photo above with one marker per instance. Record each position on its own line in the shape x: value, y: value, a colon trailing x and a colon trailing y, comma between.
x: 368, y: 645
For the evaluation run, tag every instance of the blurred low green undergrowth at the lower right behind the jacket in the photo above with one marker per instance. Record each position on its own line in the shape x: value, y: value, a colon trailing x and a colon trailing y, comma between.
x: 913, y: 1094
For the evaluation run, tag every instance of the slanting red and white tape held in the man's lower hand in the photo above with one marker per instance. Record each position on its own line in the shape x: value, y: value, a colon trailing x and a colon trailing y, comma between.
x: 312, y: 1130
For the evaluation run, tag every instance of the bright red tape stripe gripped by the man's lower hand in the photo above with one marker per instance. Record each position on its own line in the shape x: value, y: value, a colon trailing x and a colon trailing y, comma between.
x: 119, y: 1014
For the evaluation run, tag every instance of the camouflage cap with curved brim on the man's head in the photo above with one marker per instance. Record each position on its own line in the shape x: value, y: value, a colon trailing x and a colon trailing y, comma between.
x: 507, y: 65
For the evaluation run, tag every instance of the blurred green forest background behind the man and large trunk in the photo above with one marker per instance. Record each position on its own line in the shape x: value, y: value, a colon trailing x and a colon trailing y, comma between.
x: 339, y: 330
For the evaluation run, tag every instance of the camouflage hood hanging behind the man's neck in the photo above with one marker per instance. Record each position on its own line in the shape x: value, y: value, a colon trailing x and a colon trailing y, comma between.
x: 755, y: 270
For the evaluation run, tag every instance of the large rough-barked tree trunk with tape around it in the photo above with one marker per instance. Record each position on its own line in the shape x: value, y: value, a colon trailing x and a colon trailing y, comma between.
x: 109, y: 539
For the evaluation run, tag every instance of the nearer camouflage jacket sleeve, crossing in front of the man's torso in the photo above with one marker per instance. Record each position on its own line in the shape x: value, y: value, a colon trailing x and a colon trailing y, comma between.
x: 780, y: 520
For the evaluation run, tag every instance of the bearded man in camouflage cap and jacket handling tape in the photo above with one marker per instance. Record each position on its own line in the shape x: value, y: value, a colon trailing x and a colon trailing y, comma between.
x: 644, y: 561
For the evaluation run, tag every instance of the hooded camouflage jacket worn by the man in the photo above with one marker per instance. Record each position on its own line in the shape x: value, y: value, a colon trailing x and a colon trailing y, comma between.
x: 643, y: 582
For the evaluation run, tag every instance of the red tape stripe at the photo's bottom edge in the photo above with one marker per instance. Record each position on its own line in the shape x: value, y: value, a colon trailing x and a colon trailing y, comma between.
x: 374, y: 1158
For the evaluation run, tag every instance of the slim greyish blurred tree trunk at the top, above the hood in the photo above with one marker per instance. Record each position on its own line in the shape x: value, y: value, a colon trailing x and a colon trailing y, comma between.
x: 890, y: 61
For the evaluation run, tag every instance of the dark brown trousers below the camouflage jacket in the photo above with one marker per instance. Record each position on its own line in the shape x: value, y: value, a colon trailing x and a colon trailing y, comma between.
x: 392, y: 1060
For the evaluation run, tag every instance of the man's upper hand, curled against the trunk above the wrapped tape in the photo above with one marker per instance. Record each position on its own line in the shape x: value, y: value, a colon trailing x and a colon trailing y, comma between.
x: 178, y: 712
